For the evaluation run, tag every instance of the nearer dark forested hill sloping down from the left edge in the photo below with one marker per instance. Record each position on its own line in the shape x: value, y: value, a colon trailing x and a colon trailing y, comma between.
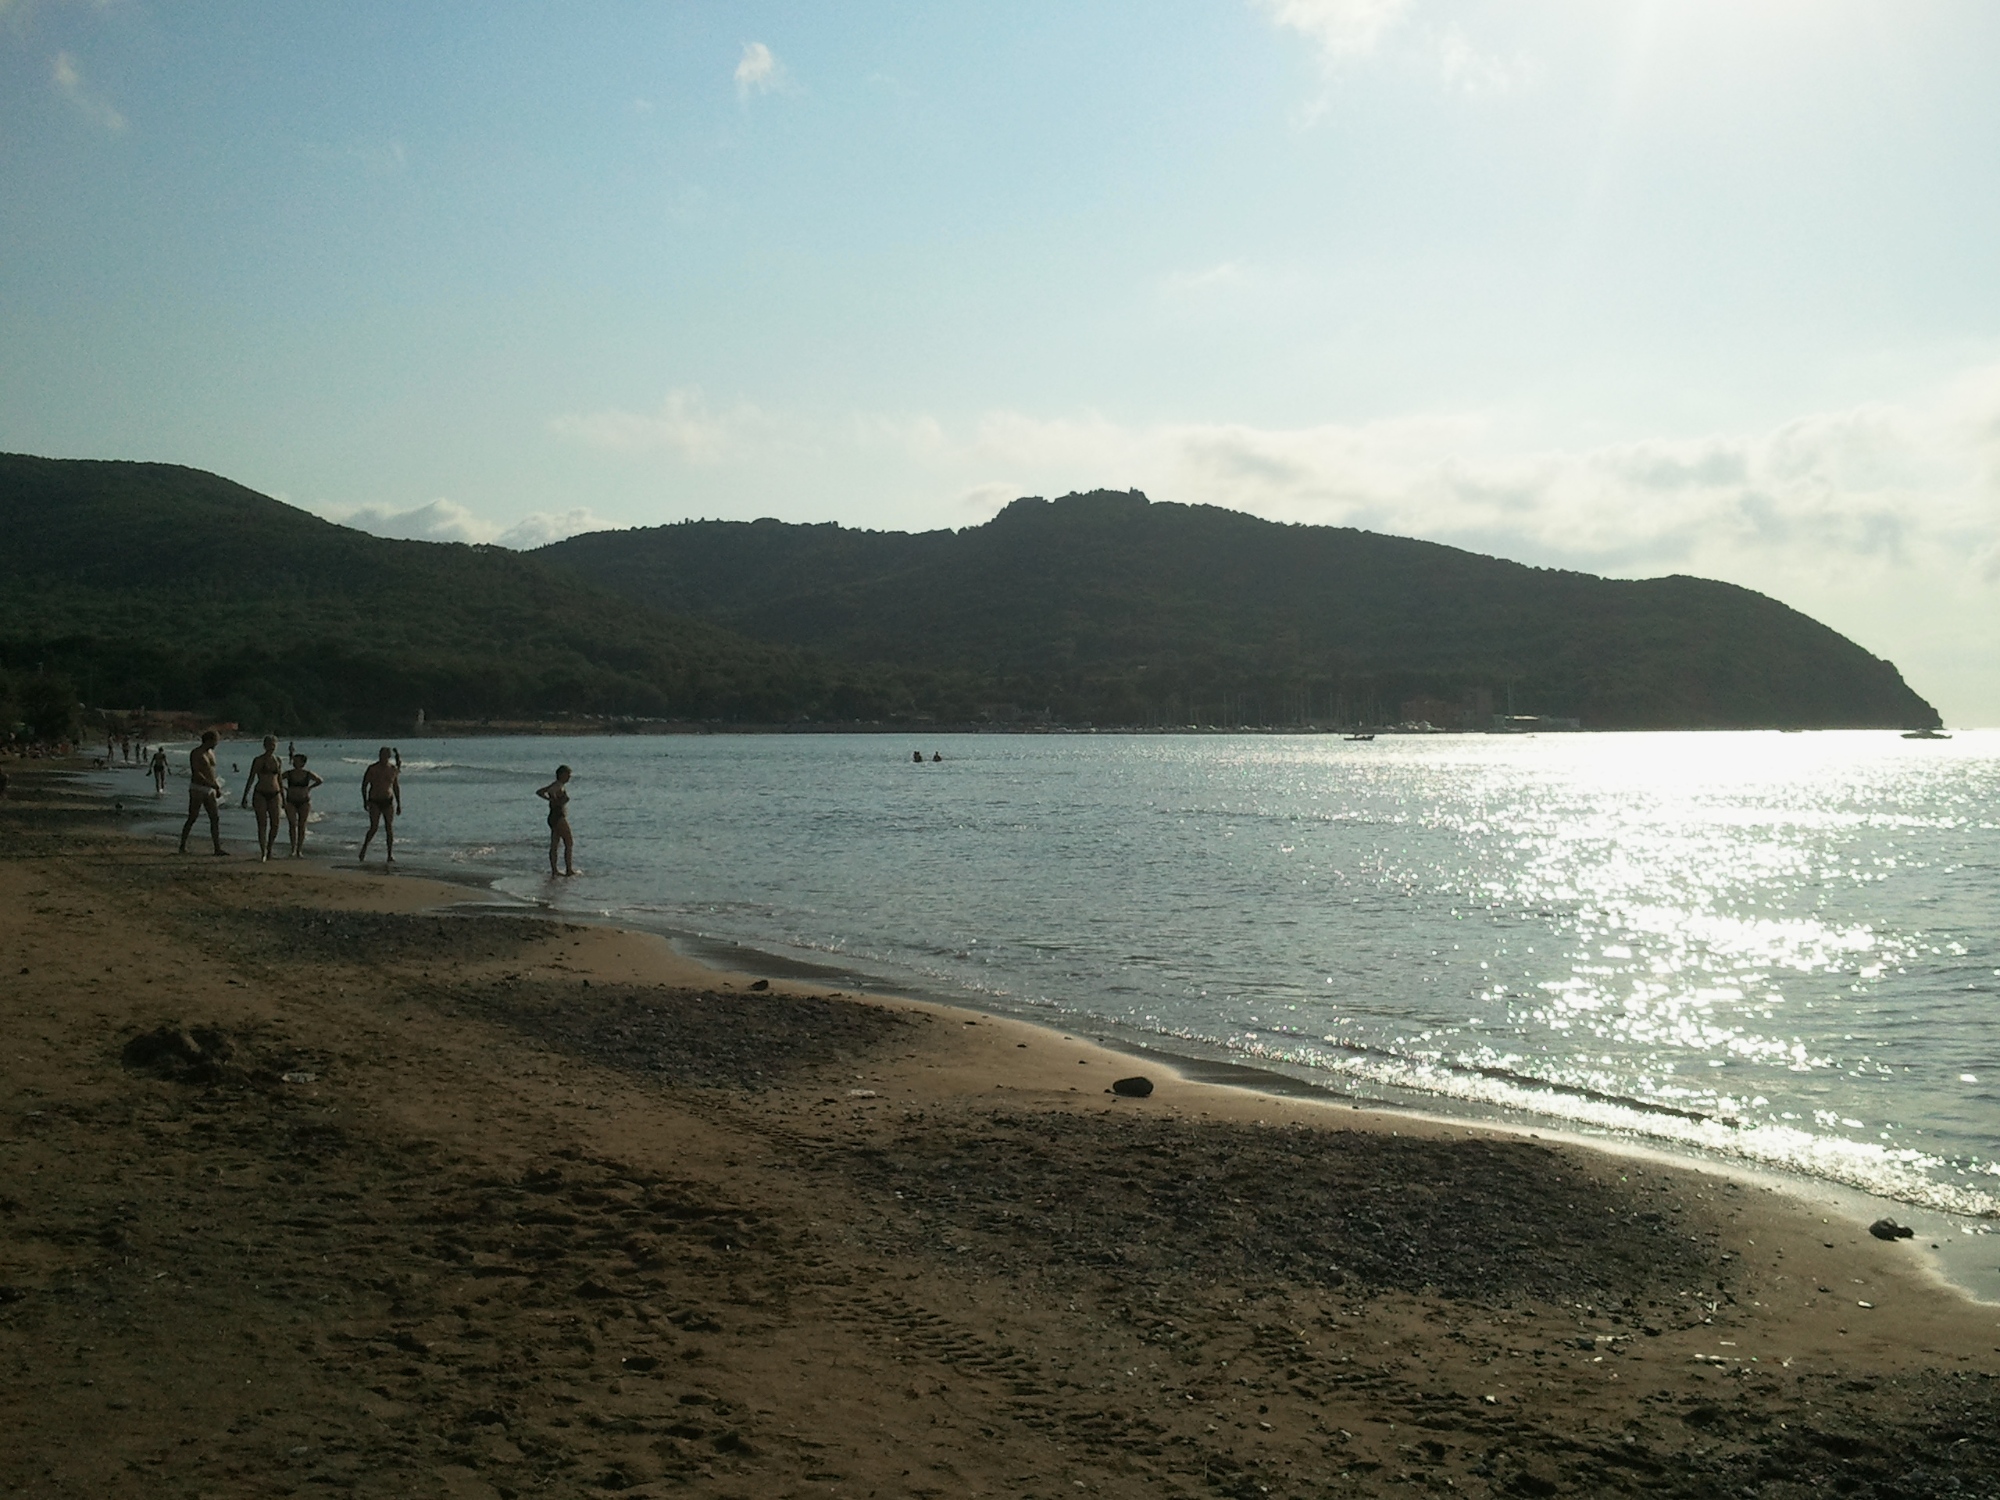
x: 151, y: 585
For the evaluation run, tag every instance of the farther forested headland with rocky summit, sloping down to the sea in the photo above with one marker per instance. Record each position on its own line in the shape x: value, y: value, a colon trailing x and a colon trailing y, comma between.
x: 1119, y: 611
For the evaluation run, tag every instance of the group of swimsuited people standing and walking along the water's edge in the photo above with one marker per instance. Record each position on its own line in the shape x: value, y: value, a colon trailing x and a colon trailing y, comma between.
x: 275, y: 789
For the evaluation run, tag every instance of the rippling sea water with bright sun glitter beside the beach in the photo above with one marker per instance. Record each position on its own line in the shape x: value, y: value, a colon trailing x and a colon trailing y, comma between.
x: 1781, y: 949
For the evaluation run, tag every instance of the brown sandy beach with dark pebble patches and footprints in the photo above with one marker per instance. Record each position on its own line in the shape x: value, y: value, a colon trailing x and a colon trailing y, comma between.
x: 321, y: 1181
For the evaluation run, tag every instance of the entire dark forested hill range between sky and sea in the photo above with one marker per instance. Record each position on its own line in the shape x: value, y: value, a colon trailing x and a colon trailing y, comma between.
x: 165, y: 585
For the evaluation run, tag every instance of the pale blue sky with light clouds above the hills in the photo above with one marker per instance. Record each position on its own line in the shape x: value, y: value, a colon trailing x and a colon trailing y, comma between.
x: 1635, y: 287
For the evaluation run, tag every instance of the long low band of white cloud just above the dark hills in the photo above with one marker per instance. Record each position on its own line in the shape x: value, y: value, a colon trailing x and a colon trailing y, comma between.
x: 1877, y: 485
